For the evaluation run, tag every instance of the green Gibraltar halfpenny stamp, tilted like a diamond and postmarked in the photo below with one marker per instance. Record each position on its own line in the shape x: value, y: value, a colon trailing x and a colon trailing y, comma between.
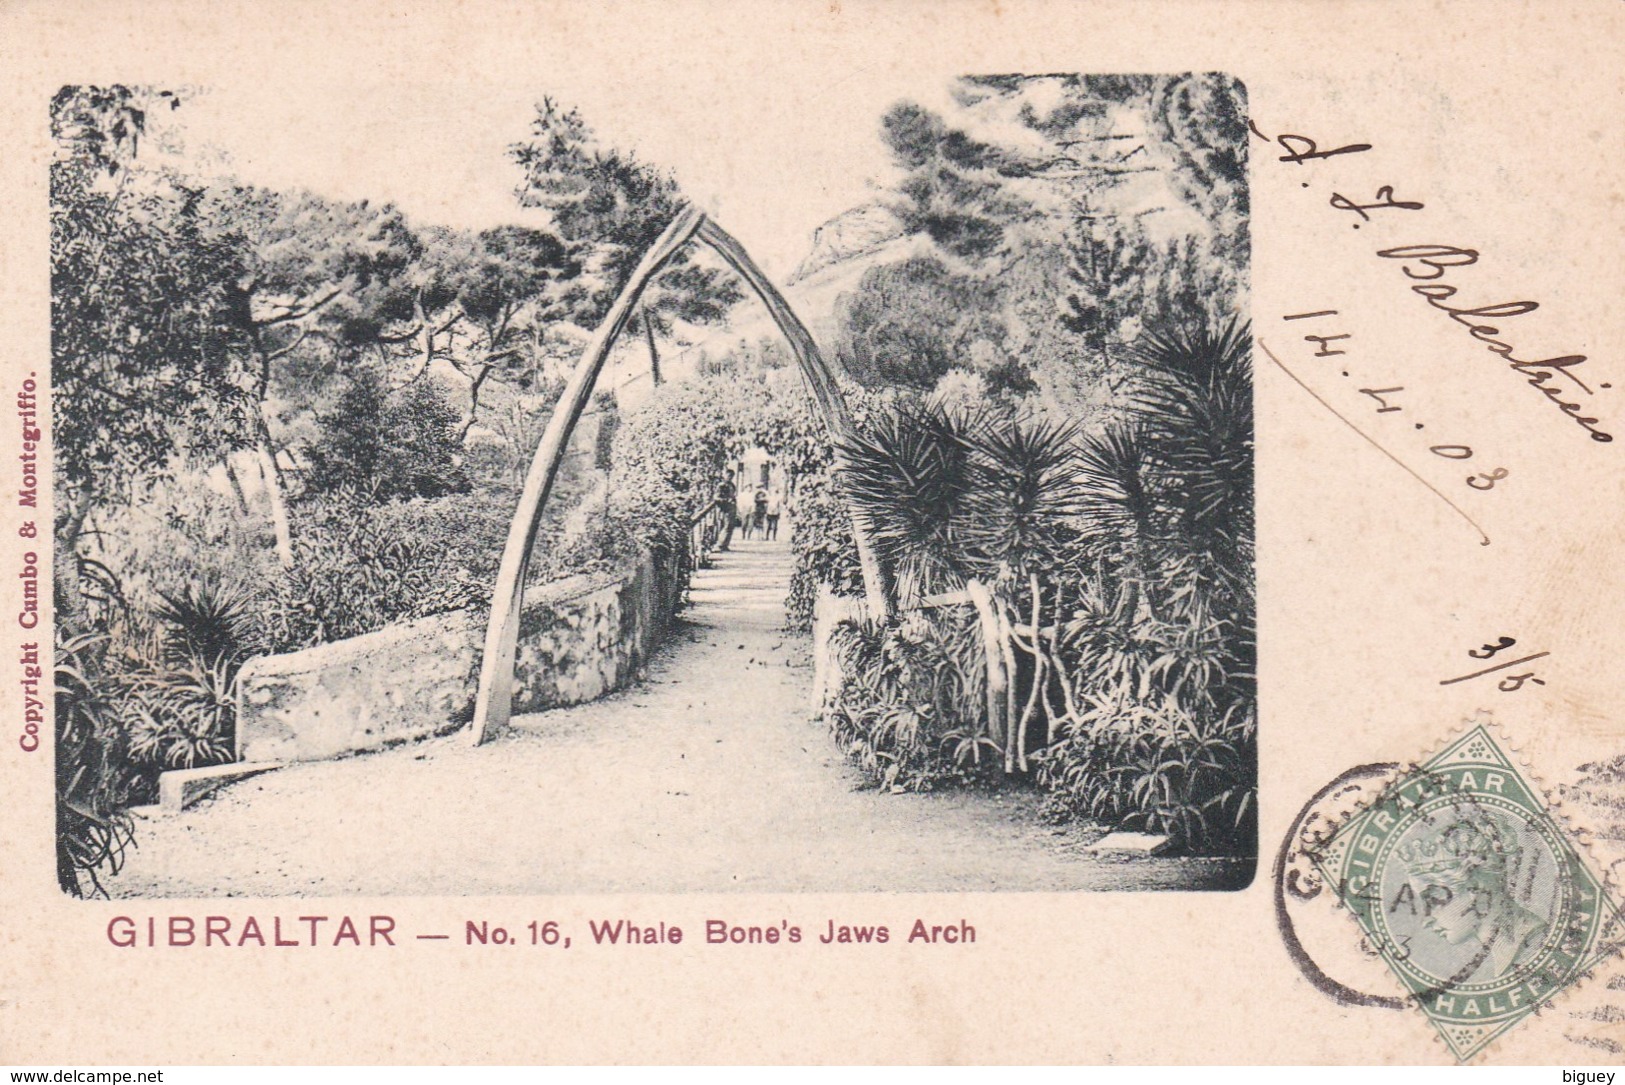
x: 1471, y: 891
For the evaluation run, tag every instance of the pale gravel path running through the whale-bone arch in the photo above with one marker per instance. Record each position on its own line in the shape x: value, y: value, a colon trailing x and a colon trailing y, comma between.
x: 706, y: 777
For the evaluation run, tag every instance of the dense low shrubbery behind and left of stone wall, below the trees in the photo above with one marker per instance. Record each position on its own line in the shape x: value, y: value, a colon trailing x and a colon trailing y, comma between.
x: 183, y: 590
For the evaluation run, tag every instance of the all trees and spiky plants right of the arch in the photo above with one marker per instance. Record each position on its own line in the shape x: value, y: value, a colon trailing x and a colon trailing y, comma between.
x: 1091, y: 584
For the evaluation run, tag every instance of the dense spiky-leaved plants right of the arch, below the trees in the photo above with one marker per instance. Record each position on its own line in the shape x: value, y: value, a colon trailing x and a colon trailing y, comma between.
x: 1103, y: 642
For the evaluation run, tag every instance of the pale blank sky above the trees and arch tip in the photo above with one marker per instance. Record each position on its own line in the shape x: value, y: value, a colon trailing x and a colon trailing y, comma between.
x: 771, y: 168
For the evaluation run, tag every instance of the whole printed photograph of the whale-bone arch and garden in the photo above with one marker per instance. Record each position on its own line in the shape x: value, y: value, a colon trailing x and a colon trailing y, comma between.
x: 495, y: 519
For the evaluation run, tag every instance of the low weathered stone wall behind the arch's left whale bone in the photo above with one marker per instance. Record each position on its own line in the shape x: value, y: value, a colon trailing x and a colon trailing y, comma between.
x: 579, y: 639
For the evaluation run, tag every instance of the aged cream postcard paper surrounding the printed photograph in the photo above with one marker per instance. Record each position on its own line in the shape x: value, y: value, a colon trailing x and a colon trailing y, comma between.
x: 1374, y: 576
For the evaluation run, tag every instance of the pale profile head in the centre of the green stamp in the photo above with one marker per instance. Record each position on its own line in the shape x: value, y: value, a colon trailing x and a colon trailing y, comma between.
x: 1473, y: 880
